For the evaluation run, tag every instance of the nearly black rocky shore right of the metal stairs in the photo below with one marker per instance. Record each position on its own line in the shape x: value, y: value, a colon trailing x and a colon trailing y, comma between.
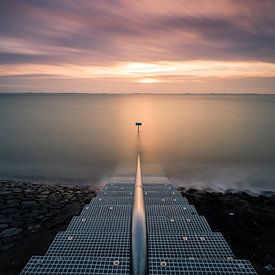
x: 246, y: 222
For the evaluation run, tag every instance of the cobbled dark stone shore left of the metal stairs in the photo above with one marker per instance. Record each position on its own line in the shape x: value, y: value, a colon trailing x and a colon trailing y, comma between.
x: 30, y: 217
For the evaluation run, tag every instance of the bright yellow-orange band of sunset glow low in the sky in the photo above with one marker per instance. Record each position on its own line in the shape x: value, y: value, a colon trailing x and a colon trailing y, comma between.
x: 164, y: 71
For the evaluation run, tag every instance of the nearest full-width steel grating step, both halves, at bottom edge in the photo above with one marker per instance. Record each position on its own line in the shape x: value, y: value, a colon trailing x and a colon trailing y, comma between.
x: 101, y: 265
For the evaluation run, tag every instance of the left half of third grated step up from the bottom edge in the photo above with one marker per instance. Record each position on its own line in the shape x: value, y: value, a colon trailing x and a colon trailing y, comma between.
x: 100, y: 224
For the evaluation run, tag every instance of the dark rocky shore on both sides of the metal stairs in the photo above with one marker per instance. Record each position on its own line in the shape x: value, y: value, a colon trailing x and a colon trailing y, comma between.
x: 32, y: 214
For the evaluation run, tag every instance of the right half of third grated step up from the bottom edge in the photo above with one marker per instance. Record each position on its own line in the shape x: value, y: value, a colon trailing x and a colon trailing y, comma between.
x: 182, y: 225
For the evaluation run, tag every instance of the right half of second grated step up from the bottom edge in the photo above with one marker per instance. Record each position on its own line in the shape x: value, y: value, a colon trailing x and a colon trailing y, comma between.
x: 190, y: 246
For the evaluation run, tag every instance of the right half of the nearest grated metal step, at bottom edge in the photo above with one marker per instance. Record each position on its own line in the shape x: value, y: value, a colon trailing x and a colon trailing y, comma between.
x: 162, y: 266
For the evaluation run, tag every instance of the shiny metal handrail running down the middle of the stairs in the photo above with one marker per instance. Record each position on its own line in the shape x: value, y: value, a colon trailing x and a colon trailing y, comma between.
x: 139, y: 259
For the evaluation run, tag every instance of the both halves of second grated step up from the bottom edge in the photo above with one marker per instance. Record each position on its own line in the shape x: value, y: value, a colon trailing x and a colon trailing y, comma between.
x: 202, y: 246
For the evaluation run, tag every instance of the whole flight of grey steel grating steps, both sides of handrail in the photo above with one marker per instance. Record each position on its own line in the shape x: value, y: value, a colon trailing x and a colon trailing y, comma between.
x: 99, y: 240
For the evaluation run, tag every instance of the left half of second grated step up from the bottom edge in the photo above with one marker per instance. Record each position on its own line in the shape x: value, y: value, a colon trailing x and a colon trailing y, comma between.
x: 90, y: 244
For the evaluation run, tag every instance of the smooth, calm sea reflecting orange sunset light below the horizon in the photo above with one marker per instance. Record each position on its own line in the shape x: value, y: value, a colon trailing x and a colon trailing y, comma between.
x: 215, y: 142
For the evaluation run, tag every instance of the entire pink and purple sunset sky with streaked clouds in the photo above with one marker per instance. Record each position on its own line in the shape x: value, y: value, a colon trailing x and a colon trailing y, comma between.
x: 203, y: 46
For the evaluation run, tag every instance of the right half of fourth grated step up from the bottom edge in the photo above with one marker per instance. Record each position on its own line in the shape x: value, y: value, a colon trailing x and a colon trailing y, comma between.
x: 171, y: 210
